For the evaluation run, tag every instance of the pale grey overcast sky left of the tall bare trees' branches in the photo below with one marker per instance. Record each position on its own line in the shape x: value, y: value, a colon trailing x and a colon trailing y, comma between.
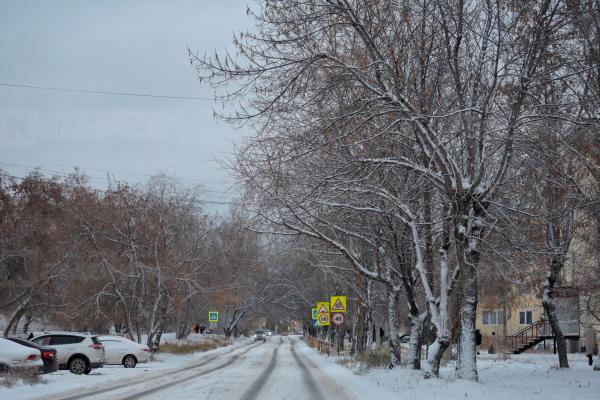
x: 119, y: 46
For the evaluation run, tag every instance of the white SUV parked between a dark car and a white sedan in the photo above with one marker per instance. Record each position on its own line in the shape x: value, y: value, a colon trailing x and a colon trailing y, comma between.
x: 77, y: 352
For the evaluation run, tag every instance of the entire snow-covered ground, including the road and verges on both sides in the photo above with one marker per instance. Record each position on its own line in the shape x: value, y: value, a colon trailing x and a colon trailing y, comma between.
x: 285, y: 368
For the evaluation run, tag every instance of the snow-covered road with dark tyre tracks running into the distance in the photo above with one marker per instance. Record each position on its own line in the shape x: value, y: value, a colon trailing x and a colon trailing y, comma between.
x: 281, y: 368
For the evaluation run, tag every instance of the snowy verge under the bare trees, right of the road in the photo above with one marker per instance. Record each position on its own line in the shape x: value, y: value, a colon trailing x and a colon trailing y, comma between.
x: 524, y: 376
